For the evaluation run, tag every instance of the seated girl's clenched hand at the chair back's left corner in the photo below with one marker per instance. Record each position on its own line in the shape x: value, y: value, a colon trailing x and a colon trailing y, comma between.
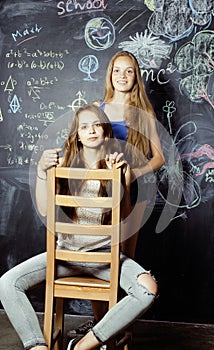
x: 48, y: 159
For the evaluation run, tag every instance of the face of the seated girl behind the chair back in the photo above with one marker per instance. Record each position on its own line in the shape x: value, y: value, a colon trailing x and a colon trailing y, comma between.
x: 90, y: 130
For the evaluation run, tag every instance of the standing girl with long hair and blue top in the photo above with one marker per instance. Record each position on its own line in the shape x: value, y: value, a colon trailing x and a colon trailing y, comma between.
x: 133, y: 122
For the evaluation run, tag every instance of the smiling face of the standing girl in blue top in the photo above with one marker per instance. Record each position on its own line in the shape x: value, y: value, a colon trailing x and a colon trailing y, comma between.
x: 123, y: 74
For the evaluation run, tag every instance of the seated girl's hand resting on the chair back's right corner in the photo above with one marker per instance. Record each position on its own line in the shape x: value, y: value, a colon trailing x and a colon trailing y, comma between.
x: 116, y: 158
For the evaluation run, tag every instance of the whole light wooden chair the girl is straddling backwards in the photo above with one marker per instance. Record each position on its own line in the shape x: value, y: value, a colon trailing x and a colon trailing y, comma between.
x: 82, y: 287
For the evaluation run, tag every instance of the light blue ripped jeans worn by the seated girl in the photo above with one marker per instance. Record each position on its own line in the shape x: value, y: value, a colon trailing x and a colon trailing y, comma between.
x: 15, y: 283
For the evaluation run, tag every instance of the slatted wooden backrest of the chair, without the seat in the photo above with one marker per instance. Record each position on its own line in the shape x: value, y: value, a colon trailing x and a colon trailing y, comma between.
x: 55, y: 225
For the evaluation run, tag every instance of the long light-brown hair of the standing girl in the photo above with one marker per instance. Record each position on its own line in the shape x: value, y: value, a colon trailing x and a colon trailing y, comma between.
x: 138, y: 112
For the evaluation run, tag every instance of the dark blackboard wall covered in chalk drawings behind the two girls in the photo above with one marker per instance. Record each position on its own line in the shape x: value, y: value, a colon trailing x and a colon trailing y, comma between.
x: 53, y: 58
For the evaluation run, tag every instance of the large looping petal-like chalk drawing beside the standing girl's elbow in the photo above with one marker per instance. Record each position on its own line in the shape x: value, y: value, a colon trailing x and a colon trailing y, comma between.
x: 181, y: 183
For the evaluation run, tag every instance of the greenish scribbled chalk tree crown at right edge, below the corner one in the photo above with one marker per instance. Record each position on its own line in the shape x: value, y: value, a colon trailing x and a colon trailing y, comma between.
x: 194, y: 59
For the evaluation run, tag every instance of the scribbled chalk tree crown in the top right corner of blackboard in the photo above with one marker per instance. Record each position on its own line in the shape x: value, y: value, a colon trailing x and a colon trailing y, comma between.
x: 176, y: 19
